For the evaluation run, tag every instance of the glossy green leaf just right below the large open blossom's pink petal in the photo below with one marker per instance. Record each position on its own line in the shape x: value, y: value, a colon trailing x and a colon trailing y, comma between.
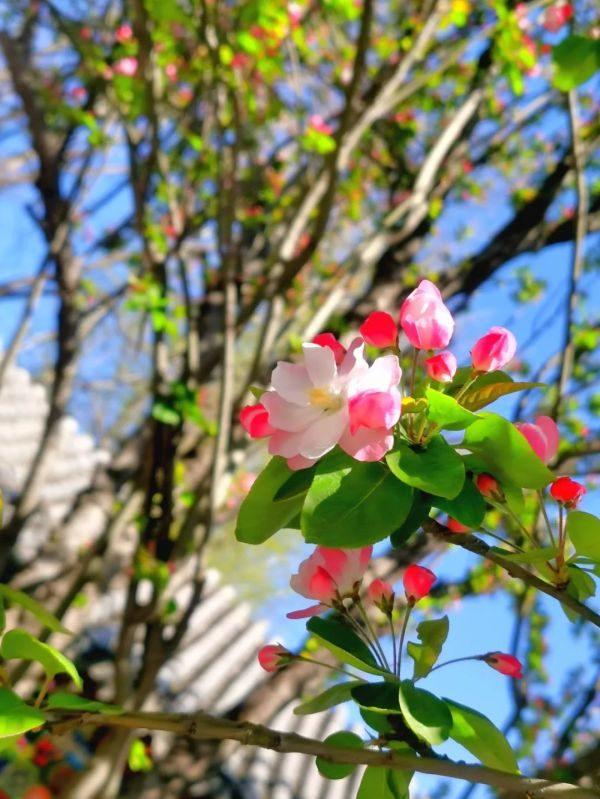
x: 438, y: 469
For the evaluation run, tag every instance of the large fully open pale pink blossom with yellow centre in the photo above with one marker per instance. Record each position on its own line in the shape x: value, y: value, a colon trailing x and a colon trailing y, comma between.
x: 315, y: 404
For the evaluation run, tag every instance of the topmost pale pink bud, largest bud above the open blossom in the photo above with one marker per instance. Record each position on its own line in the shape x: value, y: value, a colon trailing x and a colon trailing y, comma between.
x: 427, y: 322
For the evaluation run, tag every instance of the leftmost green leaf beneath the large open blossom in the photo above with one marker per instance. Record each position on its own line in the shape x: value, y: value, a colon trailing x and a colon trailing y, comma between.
x: 260, y: 516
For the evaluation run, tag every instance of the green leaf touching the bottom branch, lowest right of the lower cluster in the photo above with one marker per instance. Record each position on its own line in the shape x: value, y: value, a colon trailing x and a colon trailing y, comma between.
x: 479, y: 736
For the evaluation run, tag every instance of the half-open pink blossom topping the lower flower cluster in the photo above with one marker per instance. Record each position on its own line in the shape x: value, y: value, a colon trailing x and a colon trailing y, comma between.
x: 329, y: 575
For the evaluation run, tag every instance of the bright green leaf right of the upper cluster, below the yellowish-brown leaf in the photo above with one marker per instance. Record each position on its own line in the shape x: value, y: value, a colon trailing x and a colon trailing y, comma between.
x: 507, y: 453
